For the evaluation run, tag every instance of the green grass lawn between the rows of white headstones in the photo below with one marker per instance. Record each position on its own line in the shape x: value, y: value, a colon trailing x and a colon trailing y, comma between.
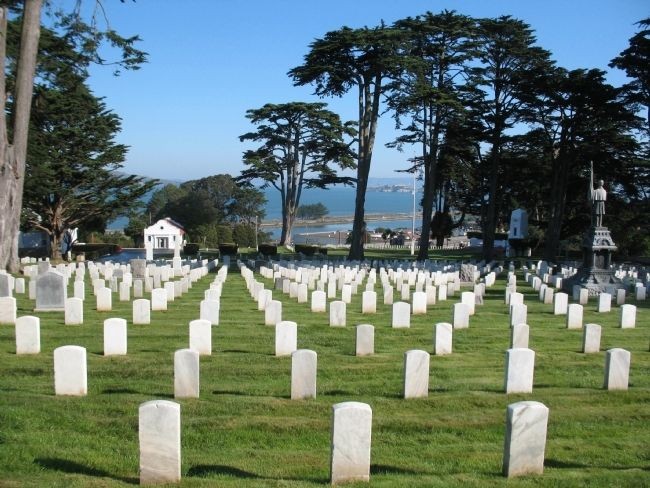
x: 245, y: 431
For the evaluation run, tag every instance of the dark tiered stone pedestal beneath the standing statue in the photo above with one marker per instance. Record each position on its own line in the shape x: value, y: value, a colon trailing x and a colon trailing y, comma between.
x: 595, y: 273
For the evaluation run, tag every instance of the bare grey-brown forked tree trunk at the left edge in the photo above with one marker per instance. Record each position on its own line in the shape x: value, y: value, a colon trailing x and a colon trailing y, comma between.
x: 12, y: 163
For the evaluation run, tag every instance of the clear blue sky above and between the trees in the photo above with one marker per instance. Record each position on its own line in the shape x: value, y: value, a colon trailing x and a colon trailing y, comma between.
x: 211, y: 60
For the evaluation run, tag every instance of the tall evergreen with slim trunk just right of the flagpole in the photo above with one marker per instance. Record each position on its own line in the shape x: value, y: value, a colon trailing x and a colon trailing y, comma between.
x: 435, y: 57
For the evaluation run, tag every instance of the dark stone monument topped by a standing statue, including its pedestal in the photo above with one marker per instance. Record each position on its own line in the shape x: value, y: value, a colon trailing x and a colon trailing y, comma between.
x: 595, y: 273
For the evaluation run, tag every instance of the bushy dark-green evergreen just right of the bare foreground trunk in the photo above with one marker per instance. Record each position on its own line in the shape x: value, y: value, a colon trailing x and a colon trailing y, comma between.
x: 72, y: 175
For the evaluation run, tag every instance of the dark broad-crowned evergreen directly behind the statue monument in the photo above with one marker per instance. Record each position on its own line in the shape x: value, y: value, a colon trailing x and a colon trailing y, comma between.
x: 579, y: 118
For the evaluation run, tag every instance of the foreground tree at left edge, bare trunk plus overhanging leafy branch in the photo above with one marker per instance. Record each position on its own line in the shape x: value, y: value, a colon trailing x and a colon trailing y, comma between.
x: 16, y: 88
